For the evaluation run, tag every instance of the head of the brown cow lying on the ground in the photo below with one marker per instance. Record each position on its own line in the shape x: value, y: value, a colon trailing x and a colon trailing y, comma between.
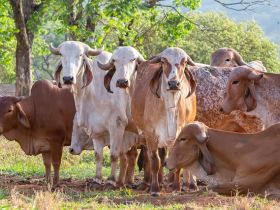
x: 191, y: 146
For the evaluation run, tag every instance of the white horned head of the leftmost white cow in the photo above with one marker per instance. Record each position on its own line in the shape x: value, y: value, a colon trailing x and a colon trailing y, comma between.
x: 74, y: 61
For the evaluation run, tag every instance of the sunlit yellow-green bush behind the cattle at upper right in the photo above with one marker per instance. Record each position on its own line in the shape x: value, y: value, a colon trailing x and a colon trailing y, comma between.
x: 246, y: 37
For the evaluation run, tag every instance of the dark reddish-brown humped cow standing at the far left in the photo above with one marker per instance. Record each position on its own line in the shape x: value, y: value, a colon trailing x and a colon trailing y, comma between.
x: 41, y: 123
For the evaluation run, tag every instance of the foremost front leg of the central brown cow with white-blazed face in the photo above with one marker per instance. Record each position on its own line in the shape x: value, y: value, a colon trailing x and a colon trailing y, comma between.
x: 152, y: 145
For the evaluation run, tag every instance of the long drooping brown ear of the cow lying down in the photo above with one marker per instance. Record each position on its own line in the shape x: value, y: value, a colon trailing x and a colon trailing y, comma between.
x: 205, y: 159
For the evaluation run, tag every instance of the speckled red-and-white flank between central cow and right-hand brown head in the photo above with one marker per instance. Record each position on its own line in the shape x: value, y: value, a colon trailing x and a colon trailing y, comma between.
x: 211, y: 85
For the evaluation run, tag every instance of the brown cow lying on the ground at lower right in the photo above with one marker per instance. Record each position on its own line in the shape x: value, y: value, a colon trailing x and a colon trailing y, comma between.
x: 233, y: 161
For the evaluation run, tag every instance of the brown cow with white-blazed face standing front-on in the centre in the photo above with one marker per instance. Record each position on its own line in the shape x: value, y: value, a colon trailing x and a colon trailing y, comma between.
x: 162, y: 102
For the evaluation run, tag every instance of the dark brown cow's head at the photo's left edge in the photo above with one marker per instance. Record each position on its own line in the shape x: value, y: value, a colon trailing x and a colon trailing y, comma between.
x: 12, y: 114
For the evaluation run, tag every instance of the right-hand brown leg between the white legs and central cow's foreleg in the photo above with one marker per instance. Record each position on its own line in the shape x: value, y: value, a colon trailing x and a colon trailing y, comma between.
x: 131, y: 158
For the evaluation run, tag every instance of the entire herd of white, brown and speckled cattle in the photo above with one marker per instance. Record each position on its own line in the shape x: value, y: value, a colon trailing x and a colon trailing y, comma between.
x: 122, y: 101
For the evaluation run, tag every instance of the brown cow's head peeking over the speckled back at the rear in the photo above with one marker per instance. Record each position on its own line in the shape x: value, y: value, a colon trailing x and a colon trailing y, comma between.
x: 226, y: 57
